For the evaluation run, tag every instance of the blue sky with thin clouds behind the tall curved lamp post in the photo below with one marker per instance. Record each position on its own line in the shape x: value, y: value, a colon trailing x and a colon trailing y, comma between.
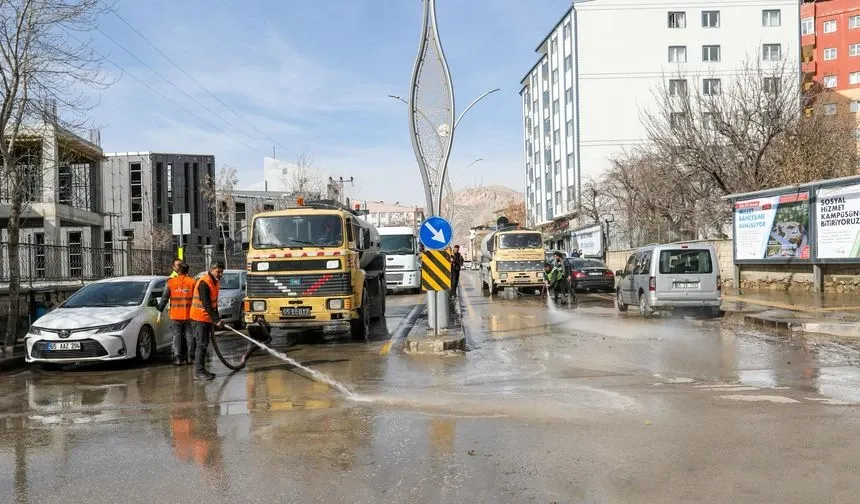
x: 312, y: 77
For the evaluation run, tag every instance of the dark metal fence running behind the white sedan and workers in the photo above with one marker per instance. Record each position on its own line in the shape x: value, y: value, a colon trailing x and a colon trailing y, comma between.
x: 58, y: 263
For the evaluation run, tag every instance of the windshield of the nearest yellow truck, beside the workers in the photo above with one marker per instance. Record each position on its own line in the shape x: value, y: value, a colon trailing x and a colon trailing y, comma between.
x: 289, y: 231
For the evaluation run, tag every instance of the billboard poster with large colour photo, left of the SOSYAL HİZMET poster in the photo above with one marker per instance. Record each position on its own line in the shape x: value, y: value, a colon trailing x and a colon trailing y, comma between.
x: 775, y: 227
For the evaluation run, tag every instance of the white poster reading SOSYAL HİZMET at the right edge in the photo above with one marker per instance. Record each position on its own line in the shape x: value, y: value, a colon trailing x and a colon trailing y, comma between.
x: 838, y: 211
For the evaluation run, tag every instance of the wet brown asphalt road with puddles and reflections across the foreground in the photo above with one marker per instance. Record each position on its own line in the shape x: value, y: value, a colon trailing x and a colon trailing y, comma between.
x: 577, y: 404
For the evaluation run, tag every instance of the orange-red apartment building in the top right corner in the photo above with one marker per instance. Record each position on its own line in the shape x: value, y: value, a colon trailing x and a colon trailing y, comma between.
x: 830, y: 38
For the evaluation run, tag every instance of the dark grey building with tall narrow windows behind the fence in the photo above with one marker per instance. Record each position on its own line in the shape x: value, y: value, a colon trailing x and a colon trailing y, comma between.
x: 143, y: 189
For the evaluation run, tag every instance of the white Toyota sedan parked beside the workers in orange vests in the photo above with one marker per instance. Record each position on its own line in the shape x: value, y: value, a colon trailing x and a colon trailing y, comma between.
x: 112, y: 319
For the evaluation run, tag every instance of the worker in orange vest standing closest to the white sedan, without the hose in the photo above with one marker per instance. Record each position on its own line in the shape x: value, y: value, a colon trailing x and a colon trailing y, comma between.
x: 179, y: 292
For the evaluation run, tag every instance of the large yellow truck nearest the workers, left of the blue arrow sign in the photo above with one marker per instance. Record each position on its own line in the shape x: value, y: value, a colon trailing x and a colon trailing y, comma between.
x: 315, y: 266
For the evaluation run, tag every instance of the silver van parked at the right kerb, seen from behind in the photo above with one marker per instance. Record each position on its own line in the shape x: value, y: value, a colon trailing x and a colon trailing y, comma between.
x: 676, y: 275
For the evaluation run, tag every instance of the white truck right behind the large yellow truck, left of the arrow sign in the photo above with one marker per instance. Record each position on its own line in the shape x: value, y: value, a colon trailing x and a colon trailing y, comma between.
x: 402, y: 260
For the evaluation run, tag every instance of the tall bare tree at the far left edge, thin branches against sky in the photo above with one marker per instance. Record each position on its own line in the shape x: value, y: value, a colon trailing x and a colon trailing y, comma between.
x: 43, y: 64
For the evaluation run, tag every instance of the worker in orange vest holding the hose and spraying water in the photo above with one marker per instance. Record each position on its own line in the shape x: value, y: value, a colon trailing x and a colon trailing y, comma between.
x: 204, y: 317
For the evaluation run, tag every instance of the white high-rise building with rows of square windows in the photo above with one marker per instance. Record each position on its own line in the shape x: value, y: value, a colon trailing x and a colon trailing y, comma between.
x: 601, y: 65
